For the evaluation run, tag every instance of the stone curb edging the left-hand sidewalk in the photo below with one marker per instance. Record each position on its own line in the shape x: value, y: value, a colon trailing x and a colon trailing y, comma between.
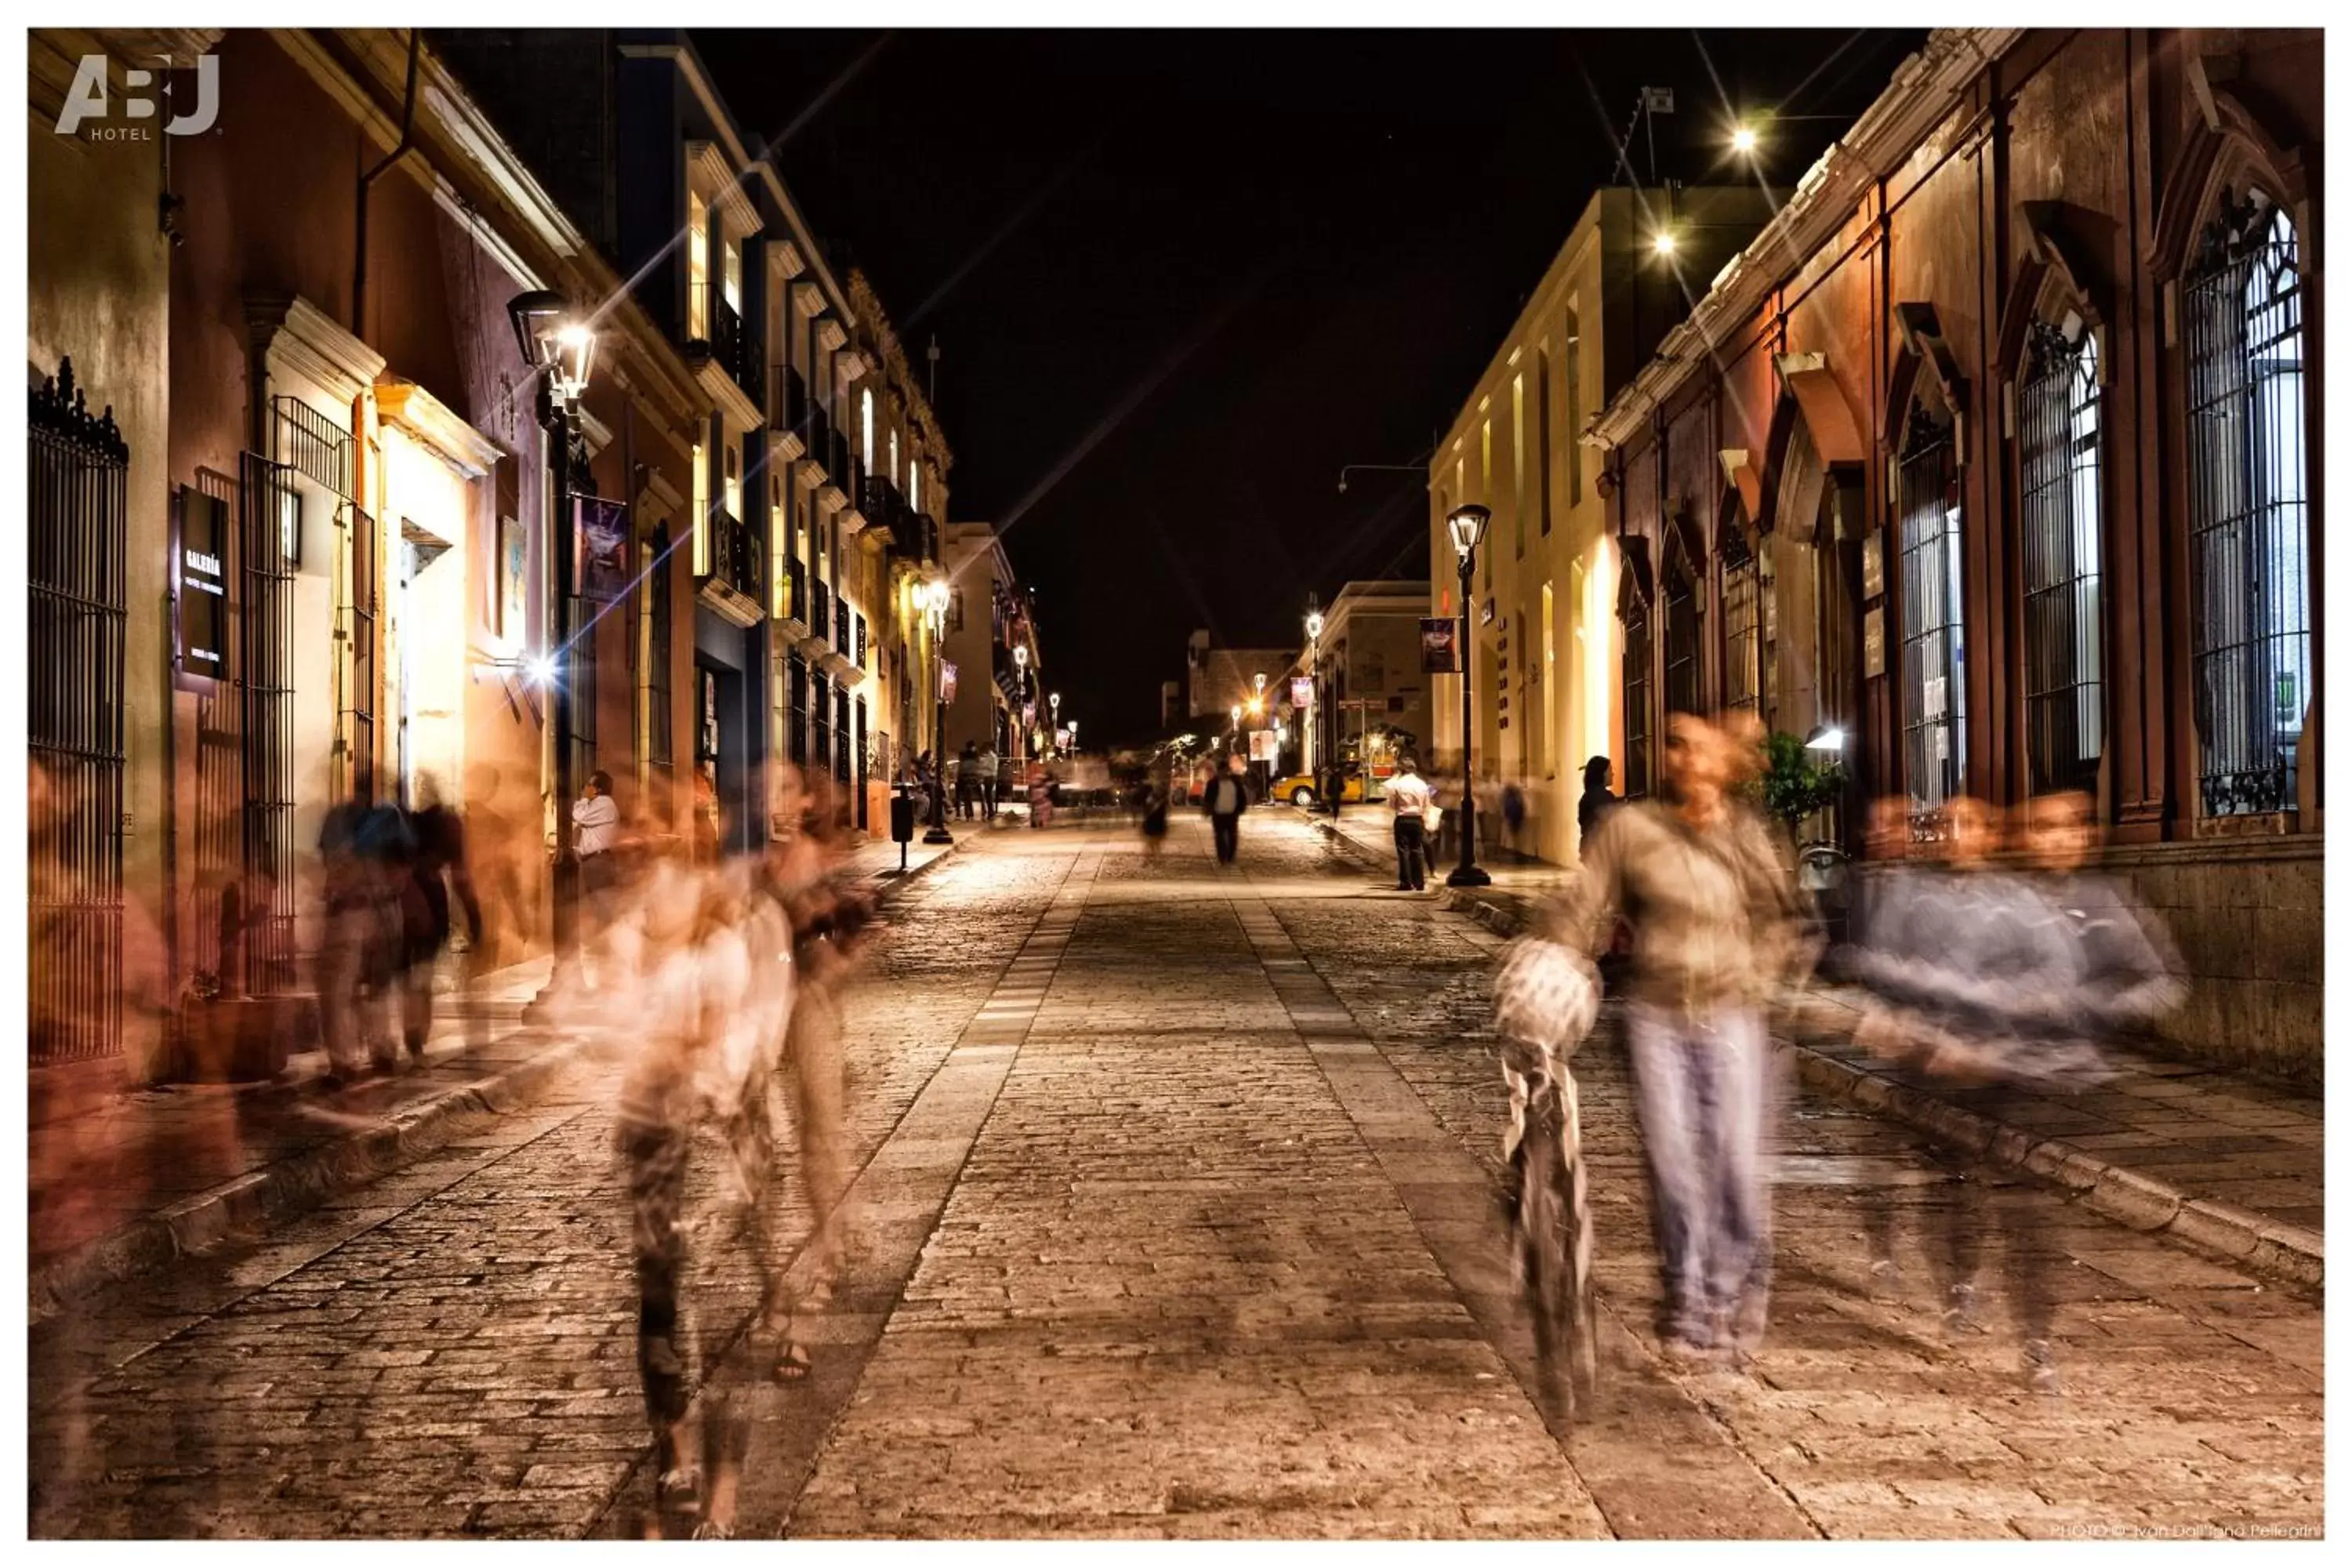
x: 274, y: 1193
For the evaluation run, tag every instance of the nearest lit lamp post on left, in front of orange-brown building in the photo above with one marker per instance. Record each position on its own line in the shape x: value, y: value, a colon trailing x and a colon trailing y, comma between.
x: 561, y: 347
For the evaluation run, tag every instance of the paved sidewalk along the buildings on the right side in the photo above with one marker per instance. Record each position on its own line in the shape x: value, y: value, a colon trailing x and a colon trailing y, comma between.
x: 2214, y: 1158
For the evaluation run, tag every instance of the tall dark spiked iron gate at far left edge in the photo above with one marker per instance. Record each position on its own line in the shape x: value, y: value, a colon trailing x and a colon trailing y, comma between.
x: 79, y: 608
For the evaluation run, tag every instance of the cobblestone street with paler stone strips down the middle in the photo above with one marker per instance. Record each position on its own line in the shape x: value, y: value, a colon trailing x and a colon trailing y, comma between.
x: 1175, y: 1214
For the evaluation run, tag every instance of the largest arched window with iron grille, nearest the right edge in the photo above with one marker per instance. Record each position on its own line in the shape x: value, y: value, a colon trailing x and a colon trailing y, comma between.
x: 2250, y: 544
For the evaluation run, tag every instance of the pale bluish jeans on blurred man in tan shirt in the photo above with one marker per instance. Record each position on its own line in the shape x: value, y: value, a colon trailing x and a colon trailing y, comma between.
x: 1704, y: 1087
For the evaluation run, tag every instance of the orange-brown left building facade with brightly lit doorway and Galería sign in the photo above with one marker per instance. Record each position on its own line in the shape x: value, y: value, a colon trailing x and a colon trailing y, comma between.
x: 338, y: 518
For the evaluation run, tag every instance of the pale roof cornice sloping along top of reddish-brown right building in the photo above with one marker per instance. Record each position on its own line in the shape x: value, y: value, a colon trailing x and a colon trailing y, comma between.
x: 1923, y: 93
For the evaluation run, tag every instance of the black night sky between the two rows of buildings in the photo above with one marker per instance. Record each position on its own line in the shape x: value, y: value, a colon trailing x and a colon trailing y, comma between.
x: 1182, y: 279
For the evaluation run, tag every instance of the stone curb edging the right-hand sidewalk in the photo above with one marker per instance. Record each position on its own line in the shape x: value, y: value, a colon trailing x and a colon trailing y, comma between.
x: 2118, y: 1193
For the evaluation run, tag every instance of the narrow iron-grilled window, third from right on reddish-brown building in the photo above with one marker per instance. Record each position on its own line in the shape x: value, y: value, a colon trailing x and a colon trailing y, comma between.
x: 1935, y: 723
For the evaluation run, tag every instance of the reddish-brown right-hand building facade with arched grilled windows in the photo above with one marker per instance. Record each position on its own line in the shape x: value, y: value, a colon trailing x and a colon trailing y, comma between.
x: 2003, y: 455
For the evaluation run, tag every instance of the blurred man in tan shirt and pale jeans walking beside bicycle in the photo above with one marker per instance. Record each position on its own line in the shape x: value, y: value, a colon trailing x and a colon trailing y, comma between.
x: 1713, y: 937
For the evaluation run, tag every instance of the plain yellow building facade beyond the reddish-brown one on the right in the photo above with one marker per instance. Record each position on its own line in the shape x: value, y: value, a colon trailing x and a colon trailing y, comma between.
x: 1544, y: 598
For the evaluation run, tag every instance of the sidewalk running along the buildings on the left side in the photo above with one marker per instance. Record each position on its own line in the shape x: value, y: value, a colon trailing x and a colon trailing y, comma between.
x: 154, y: 1174
